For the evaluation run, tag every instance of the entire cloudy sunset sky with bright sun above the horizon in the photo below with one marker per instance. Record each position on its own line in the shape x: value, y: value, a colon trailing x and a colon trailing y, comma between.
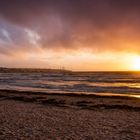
x: 82, y: 35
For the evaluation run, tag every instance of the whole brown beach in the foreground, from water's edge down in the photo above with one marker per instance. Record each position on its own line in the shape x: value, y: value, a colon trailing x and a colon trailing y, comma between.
x: 36, y: 116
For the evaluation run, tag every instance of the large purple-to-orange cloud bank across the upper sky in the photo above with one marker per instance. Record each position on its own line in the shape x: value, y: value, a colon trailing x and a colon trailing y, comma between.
x: 69, y: 23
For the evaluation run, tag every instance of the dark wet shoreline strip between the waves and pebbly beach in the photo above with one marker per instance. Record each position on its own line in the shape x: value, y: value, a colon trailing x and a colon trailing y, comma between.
x: 83, y: 101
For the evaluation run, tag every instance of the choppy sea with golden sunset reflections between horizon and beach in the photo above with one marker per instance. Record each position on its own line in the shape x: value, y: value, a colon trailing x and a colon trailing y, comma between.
x: 97, y: 83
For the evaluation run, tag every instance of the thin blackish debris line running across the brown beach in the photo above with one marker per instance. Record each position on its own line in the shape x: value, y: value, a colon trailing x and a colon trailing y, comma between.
x: 62, y: 103
